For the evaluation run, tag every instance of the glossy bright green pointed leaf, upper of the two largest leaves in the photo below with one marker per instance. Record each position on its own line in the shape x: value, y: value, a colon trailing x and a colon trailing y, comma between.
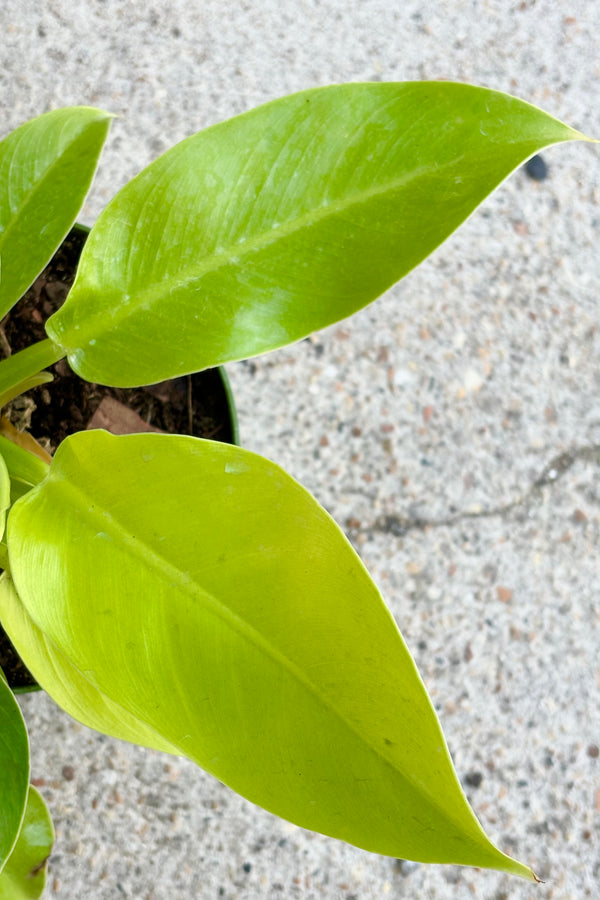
x: 266, y: 227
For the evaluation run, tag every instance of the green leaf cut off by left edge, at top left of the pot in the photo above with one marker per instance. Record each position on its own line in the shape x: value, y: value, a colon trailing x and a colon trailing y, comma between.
x: 46, y: 168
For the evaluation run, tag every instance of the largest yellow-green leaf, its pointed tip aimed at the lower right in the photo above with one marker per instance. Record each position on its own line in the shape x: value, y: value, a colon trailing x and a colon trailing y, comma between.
x: 207, y: 594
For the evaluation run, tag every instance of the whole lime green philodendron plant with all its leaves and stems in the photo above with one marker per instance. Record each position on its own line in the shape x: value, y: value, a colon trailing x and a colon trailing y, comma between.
x: 189, y: 595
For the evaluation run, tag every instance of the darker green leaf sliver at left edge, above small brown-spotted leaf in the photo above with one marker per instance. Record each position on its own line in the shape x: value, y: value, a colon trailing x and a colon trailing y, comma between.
x: 14, y: 770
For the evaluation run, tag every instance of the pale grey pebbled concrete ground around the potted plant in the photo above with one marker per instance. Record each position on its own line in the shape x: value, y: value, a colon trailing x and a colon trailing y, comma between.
x: 453, y: 429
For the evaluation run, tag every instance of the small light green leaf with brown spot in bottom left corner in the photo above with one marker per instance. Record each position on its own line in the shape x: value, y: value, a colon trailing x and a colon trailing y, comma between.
x: 24, y: 876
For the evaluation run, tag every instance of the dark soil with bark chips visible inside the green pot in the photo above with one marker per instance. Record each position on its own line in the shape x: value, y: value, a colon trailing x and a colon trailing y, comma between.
x: 199, y: 404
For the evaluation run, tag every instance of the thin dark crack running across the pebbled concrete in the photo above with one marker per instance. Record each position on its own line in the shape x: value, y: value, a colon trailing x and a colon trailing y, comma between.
x: 551, y: 474
